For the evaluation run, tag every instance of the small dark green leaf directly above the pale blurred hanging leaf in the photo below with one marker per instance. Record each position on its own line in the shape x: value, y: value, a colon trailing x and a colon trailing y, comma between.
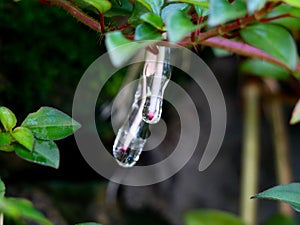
x: 146, y: 32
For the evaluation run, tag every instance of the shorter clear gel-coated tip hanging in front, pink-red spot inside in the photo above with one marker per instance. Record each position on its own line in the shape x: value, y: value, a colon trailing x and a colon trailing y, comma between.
x: 157, y: 73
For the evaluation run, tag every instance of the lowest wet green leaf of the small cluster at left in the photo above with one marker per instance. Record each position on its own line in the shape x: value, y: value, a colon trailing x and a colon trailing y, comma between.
x: 44, y: 152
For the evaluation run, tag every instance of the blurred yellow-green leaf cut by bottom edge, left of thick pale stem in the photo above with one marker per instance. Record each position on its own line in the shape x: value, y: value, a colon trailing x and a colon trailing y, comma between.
x: 211, y: 217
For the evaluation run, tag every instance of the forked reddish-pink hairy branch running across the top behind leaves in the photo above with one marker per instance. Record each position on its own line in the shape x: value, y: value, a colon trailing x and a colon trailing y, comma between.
x: 207, y: 38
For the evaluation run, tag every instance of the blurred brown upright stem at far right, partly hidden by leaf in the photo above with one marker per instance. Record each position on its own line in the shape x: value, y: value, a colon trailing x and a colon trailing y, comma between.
x: 282, y: 154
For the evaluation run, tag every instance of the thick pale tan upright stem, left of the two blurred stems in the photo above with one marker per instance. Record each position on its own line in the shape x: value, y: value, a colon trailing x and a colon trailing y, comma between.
x: 250, y: 155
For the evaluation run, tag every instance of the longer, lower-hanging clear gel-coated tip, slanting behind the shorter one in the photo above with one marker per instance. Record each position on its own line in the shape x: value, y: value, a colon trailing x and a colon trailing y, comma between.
x: 131, y: 137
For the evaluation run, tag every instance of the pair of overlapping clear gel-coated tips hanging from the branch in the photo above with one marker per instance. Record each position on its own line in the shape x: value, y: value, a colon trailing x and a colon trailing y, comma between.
x: 146, y: 108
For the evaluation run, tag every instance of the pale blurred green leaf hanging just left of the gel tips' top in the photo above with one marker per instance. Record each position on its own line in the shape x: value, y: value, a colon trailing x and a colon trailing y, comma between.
x: 120, y: 49
